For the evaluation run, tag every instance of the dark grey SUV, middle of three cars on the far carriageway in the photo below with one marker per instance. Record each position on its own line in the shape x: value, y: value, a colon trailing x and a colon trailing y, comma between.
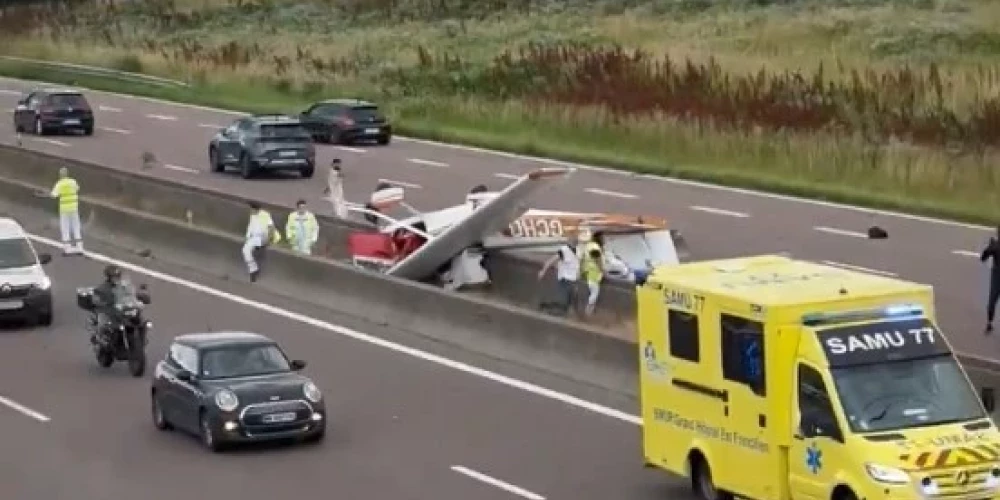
x: 263, y: 142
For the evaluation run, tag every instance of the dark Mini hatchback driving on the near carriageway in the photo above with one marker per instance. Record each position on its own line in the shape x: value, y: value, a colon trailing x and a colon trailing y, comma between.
x: 235, y: 387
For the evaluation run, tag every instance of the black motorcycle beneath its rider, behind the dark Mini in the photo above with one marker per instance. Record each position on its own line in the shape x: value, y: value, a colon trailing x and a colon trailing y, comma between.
x: 125, y: 338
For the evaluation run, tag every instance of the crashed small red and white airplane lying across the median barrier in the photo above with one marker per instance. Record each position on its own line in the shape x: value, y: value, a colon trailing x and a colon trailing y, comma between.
x: 448, y: 245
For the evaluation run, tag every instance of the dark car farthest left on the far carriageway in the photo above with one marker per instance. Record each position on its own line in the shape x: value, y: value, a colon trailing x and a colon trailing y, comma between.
x: 54, y: 111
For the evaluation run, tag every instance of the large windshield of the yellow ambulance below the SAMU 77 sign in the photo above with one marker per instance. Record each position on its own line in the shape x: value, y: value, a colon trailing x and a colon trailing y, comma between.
x: 902, y: 394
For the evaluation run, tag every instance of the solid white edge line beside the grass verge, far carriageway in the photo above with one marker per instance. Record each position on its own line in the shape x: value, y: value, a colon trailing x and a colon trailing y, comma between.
x: 581, y: 166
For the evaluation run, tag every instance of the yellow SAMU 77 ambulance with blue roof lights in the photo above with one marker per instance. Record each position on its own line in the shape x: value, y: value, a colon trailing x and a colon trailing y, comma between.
x: 772, y: 378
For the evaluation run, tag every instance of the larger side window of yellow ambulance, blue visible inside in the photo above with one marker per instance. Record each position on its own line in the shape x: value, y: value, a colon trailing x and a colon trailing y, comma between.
x: 743, y: 352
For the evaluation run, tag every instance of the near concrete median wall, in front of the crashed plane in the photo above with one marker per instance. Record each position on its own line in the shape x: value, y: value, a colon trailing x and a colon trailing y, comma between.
x: 524, y: 337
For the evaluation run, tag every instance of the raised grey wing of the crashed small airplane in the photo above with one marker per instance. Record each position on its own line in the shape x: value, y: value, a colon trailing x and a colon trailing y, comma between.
x: 488, y: 219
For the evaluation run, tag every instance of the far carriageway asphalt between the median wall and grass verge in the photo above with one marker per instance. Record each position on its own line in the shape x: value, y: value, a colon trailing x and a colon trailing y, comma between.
x: 717, y: 222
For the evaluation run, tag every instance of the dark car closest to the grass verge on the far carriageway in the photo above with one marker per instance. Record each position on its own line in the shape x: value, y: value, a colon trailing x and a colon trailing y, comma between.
x: 346, y: 121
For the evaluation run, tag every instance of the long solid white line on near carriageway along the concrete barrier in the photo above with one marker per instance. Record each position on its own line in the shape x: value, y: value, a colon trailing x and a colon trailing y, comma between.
x: 363, y: 337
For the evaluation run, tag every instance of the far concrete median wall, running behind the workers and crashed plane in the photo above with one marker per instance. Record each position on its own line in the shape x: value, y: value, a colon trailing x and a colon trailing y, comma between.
x: 514, y: 278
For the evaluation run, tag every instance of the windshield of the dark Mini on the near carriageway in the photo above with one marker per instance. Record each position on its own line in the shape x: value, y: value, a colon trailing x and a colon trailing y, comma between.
x: 243, y: 361
